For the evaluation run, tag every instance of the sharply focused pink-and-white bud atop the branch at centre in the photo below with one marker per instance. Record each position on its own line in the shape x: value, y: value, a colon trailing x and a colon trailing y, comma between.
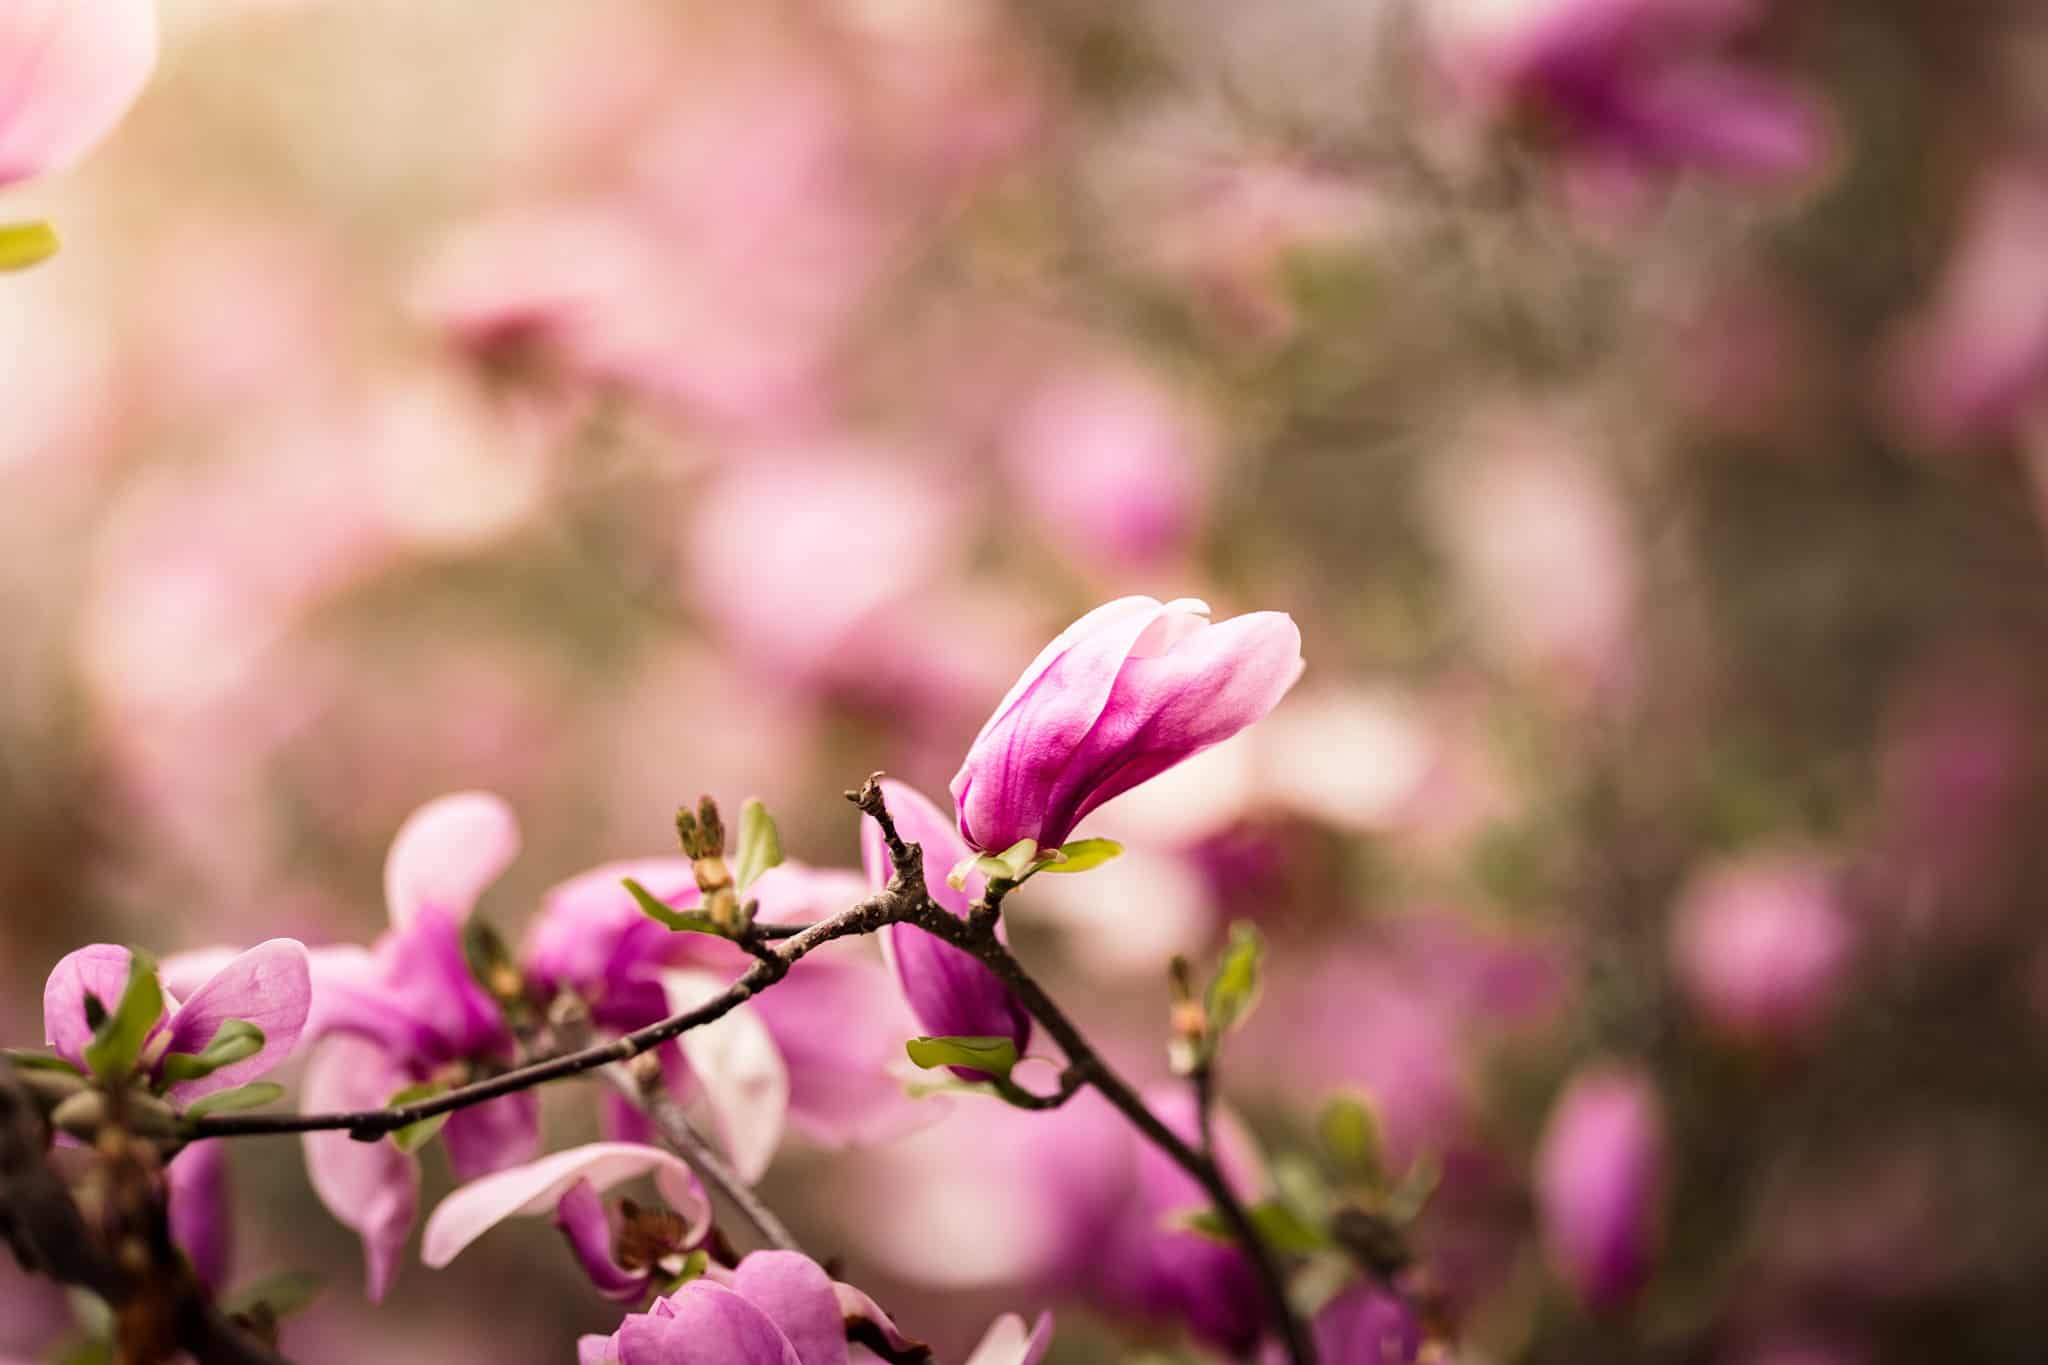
x: 1121, y: 697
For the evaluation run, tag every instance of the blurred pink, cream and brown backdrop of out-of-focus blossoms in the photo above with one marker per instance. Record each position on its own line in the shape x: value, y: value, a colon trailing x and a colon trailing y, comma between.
x: 1641, y: 406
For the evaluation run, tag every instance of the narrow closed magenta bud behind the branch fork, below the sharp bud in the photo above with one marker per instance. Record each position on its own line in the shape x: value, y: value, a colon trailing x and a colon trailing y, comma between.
x: 947, y: 989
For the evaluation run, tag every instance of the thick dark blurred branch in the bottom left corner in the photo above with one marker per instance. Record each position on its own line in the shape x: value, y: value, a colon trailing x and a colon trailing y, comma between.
x: 124, y: 1256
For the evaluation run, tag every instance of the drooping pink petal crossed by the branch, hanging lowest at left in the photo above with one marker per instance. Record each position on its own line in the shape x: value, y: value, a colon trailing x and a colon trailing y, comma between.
x: 368, y: 1186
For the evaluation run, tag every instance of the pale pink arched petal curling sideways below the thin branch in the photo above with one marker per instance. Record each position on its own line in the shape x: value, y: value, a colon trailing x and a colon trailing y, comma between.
x: 538, y: 1188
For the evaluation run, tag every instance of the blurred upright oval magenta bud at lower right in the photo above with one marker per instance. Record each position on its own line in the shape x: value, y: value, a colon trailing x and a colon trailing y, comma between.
x: 1598, y: 1176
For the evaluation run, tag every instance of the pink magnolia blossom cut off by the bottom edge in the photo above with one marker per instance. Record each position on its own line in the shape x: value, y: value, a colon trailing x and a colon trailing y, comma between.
x: 779, y: 1309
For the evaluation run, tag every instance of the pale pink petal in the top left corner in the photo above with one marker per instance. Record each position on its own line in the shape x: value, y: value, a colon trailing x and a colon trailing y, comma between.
x: 69, y: 71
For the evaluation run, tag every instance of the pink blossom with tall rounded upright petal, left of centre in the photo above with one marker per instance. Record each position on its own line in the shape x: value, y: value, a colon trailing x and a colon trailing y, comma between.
x: 411, y: 1012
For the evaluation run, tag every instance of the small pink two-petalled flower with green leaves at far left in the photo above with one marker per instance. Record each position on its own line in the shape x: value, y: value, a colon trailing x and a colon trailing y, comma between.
x: 265, y: 985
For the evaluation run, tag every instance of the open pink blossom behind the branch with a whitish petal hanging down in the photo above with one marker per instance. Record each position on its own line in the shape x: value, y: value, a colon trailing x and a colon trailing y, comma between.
x: 816, y: 1051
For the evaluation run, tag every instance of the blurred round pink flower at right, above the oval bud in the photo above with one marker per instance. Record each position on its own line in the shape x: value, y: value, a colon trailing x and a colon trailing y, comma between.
x: 1762, y: 944
